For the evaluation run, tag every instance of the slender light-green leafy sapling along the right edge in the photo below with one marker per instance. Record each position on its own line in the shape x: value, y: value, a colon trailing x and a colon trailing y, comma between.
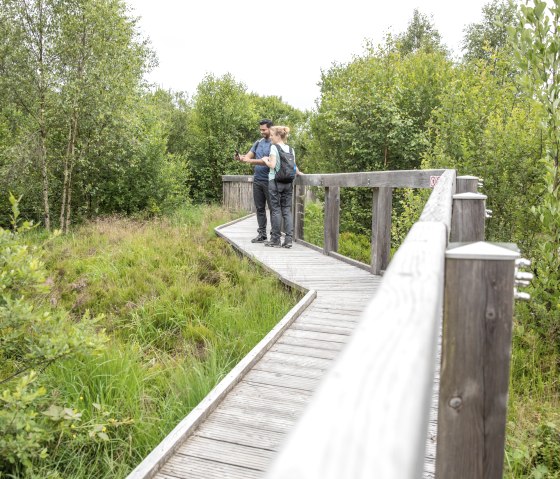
x: 537, y: 49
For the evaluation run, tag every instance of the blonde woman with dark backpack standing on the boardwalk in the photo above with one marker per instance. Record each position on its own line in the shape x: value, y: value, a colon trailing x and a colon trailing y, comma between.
x: 280, y: 193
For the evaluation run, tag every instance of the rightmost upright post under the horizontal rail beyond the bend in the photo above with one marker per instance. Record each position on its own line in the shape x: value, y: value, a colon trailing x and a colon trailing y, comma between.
x: 381, y: 229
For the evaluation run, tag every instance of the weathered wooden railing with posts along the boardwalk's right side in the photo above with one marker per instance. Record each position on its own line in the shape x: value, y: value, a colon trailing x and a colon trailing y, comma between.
x: 369, y: 417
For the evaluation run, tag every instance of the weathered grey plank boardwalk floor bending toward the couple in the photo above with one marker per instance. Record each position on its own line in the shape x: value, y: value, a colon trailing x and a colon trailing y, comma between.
x: 240, y: 436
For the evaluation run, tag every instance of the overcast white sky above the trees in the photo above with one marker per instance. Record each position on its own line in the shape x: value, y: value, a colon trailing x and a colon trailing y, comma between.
x: 279, y: 48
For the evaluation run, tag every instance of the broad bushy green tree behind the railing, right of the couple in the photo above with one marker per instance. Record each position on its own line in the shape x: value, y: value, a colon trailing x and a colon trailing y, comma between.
x: 373, y: 115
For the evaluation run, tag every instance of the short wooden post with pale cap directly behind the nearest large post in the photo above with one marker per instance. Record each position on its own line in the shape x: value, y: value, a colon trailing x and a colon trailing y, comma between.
x: 468, y: 217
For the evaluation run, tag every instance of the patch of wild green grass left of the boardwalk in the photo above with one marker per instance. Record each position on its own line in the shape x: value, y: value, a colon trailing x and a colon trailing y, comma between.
x: 180, y: 309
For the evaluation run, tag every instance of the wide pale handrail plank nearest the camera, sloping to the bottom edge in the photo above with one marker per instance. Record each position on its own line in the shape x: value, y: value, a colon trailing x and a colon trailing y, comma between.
x: 364, y: 403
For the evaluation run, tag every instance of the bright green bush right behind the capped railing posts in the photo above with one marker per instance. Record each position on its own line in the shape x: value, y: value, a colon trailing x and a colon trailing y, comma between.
x: 484, y: 129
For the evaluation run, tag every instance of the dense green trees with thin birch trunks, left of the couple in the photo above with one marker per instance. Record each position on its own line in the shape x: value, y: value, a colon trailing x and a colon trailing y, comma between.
x: 81, y: 135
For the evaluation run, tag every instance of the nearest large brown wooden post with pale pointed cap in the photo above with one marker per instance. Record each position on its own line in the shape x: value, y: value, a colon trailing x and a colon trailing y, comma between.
x: 478, y: 311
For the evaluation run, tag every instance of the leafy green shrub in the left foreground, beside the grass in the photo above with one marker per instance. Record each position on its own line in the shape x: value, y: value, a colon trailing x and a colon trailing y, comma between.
x: 32, y: 337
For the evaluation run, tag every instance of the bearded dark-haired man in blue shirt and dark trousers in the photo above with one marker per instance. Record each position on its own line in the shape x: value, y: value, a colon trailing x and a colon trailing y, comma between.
x: 260, y: 149
